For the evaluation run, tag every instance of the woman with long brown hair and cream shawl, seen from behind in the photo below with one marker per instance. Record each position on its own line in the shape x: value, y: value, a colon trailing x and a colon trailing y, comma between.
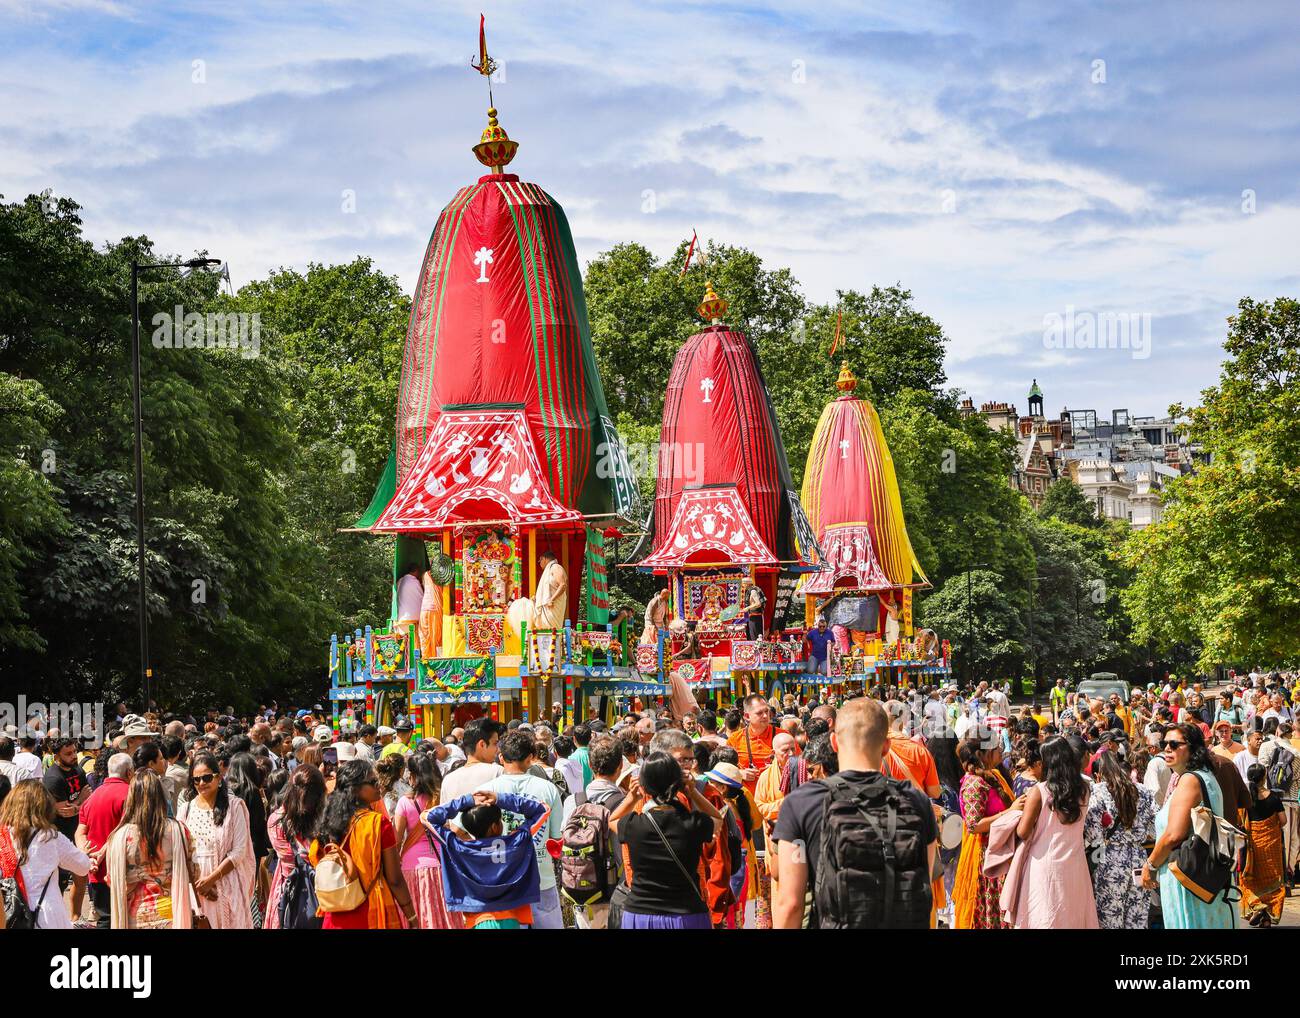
x: 150, y: 869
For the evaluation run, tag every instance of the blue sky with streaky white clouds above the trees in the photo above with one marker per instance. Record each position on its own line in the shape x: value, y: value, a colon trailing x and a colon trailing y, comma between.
x: 968, y: 151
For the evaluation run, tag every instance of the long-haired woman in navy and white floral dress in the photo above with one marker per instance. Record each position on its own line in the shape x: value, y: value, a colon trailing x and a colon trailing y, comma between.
x: 1121, y: 822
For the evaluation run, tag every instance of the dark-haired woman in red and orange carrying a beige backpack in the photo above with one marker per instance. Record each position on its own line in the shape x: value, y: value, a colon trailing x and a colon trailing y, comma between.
x: 352, y: 822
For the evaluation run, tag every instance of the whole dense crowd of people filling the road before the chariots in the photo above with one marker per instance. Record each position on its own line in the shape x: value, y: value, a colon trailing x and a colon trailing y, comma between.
x: 891, y: 808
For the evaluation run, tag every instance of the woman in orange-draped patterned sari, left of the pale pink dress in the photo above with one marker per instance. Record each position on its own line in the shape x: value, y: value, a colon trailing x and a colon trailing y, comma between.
x: 985, y: 794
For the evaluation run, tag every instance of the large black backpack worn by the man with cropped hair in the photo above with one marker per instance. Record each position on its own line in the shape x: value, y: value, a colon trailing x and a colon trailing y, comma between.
x: 872, y: 869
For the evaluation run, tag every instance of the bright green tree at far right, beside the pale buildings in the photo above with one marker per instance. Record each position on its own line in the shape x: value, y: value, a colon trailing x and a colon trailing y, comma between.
x: 1221, y: 571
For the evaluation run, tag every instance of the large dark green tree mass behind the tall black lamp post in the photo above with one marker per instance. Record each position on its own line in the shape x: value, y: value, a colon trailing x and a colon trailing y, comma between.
x: 226, y: 614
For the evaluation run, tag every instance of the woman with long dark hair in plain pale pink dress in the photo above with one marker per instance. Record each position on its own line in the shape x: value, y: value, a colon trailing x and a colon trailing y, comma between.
x: 1048, y: 886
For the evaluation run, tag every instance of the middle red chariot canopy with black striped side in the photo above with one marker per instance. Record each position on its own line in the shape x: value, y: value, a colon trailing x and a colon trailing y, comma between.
x: 722, y: 463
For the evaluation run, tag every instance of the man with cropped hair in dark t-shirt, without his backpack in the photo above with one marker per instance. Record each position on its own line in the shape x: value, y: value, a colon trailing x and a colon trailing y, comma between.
x: 860, y: 737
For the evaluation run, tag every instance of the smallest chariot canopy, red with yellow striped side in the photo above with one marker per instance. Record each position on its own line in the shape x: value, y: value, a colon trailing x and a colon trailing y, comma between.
x: 851, y: 495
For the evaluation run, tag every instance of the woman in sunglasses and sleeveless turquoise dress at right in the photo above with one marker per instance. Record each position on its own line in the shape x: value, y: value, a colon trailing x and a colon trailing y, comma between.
x: 1184, y: 750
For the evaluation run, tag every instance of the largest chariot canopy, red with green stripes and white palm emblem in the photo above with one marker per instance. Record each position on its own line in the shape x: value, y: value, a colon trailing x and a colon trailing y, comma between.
x: 500, y: 331
